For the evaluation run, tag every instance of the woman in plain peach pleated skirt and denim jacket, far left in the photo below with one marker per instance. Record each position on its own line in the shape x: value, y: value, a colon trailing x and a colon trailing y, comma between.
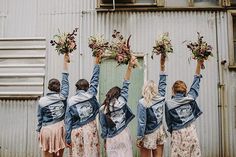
x: 51, y: 112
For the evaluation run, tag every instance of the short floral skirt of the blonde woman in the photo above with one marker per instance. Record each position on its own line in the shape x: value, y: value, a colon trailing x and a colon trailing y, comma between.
x: 158, y: 137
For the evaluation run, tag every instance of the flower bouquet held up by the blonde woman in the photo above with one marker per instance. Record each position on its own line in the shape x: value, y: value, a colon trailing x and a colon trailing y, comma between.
x: 163, y: 46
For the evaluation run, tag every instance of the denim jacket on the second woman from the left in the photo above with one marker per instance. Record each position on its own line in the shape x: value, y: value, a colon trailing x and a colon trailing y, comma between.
x: 82, y: 107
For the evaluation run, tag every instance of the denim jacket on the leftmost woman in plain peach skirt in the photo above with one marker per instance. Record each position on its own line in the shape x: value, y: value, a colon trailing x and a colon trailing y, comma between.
x: 51, y: 108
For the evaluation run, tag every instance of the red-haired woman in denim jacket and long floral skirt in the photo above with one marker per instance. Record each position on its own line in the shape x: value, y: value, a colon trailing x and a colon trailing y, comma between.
x: 181, y: 111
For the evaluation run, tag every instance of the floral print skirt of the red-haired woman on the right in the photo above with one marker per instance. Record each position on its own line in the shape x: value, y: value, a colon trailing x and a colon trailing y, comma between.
x: 185, y: 143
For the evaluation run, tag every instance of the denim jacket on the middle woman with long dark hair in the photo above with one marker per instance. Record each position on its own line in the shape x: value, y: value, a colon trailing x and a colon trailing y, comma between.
x: 120, y: 114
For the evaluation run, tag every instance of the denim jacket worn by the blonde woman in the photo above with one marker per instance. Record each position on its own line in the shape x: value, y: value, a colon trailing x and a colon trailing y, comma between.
x: 150, y: 117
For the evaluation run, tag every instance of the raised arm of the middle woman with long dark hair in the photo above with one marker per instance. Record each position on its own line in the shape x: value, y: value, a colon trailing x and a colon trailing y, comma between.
x: 125, y: 88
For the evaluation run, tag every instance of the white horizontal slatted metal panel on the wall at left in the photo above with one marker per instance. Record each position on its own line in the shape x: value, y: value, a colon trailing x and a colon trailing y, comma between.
x: 22, y: 66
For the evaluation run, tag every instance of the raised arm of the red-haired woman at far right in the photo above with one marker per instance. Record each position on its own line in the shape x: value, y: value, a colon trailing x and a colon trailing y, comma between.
x: 194, y: 89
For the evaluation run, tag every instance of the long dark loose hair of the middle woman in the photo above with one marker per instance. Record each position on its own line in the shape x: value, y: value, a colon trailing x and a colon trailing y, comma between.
x: 111, y: 94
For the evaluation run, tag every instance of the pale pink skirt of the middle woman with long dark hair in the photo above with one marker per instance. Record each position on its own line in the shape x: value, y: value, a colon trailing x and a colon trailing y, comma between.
x: 120, y: 145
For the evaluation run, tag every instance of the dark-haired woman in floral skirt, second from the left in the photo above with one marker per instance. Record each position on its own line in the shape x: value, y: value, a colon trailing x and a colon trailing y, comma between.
x: 81, y: 127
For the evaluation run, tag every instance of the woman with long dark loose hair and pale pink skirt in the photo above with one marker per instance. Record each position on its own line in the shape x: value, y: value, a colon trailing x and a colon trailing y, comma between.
x: 114, y: 117
